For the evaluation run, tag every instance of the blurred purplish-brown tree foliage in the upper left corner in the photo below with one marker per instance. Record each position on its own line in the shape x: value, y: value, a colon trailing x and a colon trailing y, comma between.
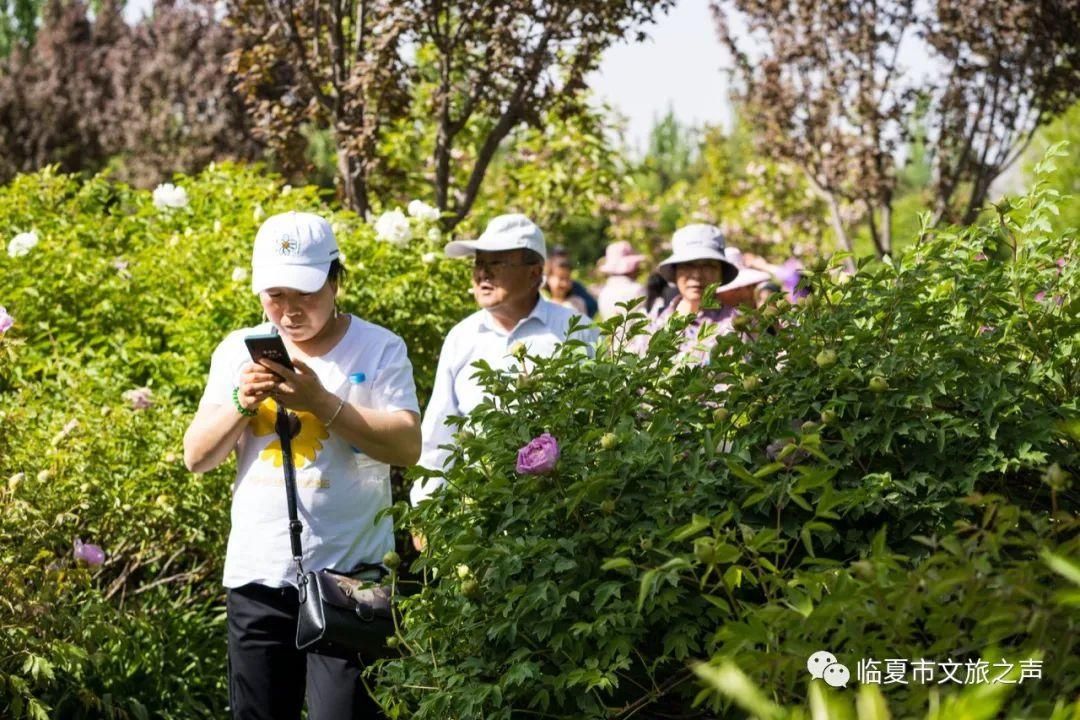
x: 146, y: 100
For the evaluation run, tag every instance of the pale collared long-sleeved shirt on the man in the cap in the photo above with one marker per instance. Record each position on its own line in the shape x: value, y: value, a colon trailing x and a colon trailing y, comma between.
x: 457, y: 392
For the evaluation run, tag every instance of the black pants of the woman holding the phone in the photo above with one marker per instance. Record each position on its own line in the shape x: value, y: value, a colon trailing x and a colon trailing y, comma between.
x: 268, y: 675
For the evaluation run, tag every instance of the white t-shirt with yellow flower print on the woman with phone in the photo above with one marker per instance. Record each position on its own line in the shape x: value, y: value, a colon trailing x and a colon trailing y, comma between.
x: 340, y: 491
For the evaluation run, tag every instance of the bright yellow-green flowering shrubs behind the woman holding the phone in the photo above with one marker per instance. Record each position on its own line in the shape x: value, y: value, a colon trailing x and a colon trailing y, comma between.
x: 117, y: 295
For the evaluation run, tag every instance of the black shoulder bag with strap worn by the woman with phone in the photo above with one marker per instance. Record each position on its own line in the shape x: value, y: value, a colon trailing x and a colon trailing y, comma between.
x: 341, y: 615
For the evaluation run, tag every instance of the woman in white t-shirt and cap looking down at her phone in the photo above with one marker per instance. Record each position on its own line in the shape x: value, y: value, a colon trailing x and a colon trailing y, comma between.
x: 352, y: 389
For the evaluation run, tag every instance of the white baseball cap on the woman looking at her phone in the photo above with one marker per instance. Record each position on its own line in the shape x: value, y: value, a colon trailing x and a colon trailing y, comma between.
x: 293, y: 250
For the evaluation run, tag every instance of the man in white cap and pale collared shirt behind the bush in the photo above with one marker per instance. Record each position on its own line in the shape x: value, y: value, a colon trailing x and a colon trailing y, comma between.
x: 508, y: 270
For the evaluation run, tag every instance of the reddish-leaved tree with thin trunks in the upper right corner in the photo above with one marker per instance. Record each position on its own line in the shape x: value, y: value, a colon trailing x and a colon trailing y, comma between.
x: 828, y: 91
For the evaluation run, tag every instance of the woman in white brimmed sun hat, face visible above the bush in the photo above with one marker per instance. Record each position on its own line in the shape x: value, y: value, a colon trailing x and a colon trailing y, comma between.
x: 698, y: 262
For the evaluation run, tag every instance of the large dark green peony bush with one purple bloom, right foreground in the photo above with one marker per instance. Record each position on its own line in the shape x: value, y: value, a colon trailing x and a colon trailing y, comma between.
x: 900, y: 501
